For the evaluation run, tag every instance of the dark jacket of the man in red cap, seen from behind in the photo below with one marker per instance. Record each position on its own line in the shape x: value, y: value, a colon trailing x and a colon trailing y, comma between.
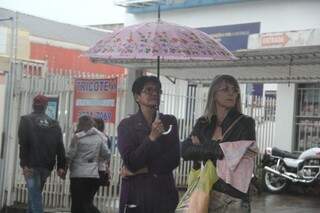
x: 40, y: 140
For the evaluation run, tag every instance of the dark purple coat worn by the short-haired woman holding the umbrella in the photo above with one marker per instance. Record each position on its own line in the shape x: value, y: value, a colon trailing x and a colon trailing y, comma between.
x: 155, y: 191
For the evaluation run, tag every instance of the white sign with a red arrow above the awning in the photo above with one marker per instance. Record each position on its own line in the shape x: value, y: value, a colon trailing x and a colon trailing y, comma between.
x: 284, y: 39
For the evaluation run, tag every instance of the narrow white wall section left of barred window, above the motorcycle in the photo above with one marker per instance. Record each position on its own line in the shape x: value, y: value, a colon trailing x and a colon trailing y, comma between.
x: 285, y: 116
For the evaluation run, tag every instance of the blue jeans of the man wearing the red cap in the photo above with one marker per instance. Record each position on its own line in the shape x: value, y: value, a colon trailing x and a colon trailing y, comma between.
x: 35, y: 185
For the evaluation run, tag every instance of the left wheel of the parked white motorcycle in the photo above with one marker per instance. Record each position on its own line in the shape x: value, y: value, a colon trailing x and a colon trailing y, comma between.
x: 274, y: 183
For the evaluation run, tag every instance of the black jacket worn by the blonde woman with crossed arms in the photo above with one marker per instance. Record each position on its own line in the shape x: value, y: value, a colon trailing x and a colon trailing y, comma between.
x: 244, y: 129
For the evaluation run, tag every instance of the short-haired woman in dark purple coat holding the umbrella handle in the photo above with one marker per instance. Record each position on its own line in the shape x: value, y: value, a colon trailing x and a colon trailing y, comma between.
x: 149, y: 156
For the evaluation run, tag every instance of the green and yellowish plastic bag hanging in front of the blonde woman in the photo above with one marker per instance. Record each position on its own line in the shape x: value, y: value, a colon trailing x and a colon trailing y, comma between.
x: 200, y: 182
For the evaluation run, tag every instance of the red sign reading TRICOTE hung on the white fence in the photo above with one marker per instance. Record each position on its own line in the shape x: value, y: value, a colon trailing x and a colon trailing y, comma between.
x: 95, y: 97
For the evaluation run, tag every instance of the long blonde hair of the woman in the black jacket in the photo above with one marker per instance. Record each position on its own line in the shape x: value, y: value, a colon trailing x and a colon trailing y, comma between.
x: 210, y: 109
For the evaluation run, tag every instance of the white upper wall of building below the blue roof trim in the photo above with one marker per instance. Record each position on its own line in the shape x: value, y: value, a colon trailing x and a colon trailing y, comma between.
x: 274, y: 15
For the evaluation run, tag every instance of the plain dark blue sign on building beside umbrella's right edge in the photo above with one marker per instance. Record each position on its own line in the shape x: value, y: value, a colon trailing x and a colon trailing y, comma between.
x: 233, y: 37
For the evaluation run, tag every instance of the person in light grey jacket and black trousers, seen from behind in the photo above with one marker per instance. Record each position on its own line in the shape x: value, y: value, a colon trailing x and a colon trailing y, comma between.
x: 86, y: 149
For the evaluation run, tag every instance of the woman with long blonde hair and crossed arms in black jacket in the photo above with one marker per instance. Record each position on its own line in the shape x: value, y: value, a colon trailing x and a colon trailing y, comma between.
x: 222, y: 135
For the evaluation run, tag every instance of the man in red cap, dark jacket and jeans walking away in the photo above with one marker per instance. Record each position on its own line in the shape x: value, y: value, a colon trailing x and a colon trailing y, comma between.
x: 41, y: 145
